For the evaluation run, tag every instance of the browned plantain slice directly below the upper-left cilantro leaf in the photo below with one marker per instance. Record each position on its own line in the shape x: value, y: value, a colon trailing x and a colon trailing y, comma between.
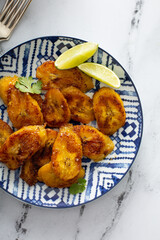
x: 23, y: 110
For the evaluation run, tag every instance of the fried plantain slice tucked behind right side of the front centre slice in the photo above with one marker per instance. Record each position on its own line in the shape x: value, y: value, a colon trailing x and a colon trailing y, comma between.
x: 95, y: 144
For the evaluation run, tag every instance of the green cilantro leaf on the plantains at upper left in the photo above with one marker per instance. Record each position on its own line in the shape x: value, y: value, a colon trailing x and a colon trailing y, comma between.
x: 29, y: 85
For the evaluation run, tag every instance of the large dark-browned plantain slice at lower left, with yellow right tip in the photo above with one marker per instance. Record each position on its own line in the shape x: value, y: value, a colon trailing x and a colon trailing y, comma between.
x: 22, y: 145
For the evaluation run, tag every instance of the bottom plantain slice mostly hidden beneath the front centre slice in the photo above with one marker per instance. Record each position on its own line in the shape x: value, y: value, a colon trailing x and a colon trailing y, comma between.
x: 46, y: 174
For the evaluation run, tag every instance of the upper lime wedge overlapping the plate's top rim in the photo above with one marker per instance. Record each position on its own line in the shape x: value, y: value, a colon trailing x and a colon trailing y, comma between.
x: 76, y: 55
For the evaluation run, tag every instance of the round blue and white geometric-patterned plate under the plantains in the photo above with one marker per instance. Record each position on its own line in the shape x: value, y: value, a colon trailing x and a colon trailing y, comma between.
x: 102, y: 176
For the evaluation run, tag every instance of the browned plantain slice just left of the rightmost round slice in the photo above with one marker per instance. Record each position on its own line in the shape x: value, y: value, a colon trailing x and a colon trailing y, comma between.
x: 80, y: 105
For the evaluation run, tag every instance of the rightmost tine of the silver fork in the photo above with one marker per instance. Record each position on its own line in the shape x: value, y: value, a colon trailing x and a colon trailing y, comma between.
x: 18, y: 14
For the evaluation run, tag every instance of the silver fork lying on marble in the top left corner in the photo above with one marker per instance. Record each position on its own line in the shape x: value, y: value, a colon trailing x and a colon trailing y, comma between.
x: 10, y: 15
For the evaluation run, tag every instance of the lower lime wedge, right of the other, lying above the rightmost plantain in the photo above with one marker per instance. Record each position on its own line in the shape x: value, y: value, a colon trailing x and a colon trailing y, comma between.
x: 101, y: 73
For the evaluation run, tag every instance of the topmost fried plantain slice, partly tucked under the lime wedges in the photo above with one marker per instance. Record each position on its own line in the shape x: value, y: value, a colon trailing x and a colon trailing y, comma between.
x: 52, y: 77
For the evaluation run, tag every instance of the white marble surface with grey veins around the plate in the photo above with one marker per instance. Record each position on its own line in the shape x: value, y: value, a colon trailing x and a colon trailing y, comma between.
x: 130, y: 31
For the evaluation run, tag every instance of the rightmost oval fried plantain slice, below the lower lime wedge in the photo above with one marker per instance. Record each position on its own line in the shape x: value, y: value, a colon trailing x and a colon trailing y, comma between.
x: 109, y: 110
